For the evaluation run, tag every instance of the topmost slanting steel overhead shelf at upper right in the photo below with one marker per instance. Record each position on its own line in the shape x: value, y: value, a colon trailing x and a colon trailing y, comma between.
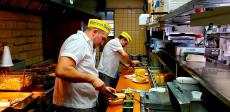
x: 182, y: 14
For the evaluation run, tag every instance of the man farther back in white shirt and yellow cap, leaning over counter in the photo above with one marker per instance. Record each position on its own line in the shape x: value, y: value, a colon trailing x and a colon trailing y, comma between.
x: 110, y: 58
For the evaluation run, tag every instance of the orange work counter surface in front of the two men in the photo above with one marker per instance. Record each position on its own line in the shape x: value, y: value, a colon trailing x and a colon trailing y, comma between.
x: 124, y: 83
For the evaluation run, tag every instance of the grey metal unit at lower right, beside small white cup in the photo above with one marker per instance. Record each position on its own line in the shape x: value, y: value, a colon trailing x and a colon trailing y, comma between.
x: 182, y: 99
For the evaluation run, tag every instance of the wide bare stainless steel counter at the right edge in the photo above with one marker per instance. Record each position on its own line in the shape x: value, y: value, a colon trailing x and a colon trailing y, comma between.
x: 214, y: 77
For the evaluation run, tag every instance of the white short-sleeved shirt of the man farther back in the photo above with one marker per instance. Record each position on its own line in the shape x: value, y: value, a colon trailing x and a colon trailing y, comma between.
x: 110, y: 59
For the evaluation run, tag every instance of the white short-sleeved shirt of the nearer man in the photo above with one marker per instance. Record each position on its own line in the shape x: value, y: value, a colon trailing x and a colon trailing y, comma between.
x: 77, y: 95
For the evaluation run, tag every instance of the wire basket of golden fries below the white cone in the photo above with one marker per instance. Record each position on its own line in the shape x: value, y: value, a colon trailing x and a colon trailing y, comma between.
x: 15, y: 81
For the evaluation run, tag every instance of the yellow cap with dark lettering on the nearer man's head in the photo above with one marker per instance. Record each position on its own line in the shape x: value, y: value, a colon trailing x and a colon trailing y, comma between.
x: 100, y: 24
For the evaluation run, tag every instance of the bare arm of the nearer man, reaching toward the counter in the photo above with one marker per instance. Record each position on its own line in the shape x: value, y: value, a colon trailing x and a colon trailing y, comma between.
x: 65, y: 70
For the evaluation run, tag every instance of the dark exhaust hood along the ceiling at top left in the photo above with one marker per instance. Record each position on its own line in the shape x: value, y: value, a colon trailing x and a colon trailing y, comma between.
x: 47, y: 7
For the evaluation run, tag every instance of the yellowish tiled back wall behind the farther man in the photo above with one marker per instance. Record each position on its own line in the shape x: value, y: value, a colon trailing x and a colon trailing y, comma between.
x: 127, y: 20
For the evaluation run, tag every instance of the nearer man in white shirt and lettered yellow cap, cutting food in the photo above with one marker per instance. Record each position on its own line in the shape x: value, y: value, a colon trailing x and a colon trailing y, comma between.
x: 77, y: 83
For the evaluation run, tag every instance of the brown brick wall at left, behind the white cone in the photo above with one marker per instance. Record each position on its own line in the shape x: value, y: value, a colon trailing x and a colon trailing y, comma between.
x: 23, y: 33
